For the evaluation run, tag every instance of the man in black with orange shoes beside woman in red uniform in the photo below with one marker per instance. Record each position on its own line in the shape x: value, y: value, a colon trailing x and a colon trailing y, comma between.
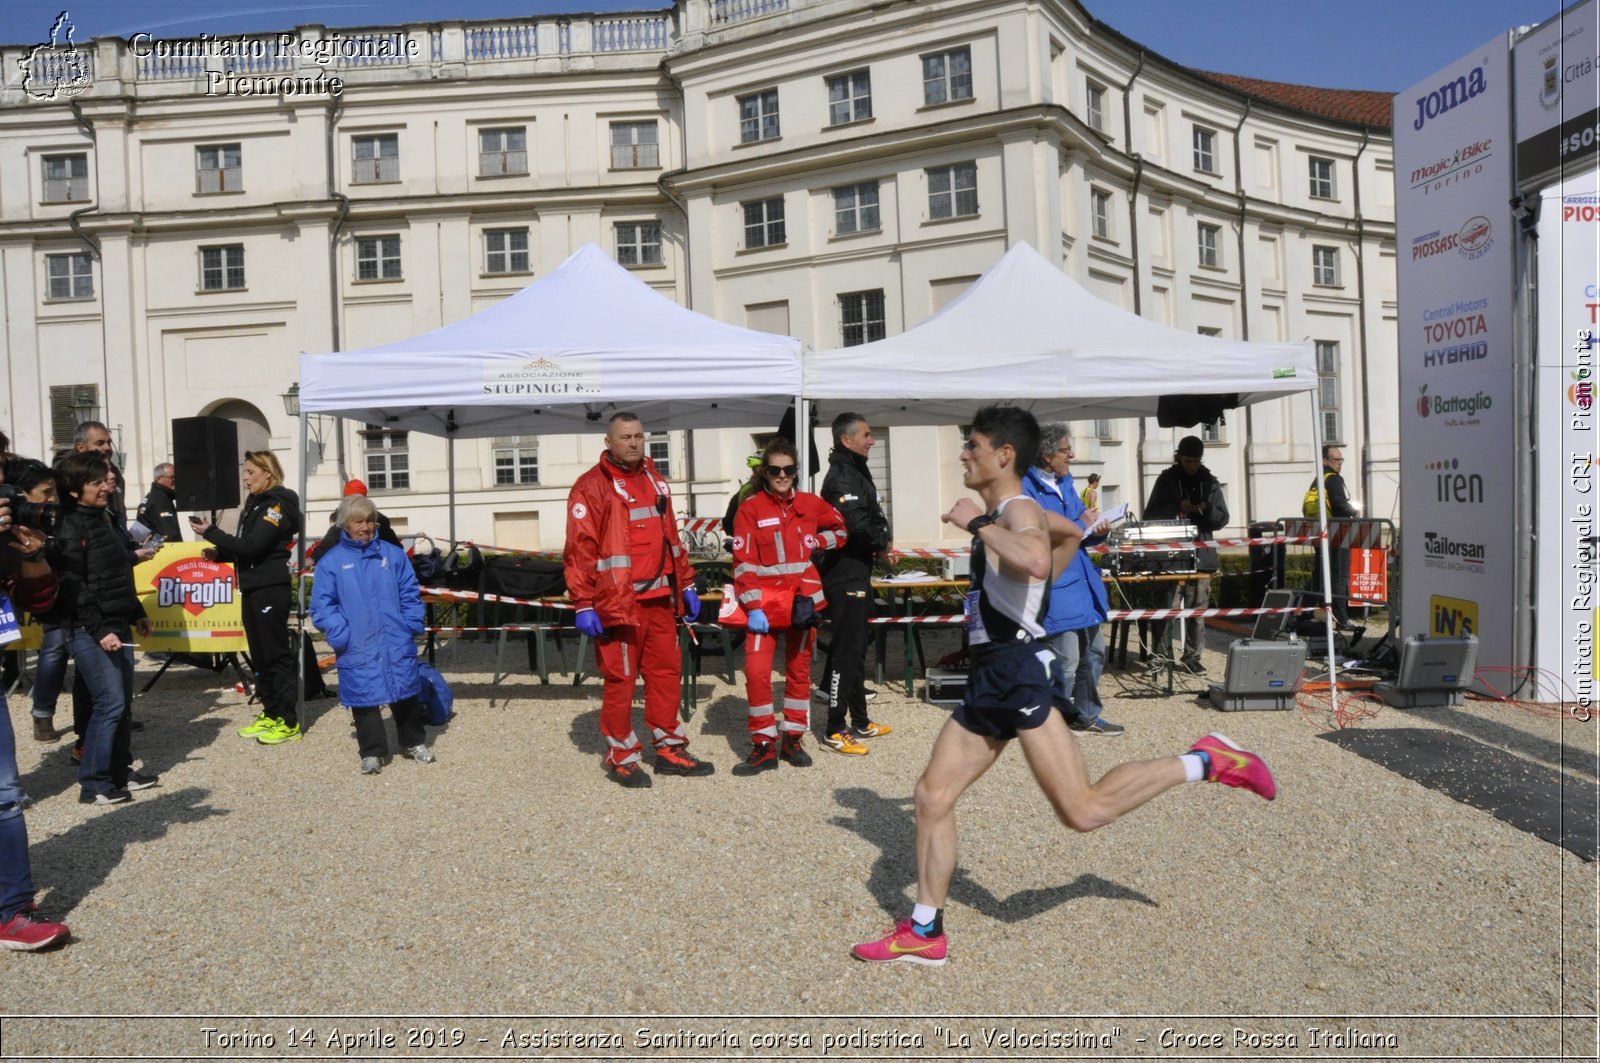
x: 847, y: 582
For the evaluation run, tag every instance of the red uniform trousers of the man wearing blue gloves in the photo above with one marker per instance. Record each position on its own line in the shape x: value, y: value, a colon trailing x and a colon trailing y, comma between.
x: 652, y: 651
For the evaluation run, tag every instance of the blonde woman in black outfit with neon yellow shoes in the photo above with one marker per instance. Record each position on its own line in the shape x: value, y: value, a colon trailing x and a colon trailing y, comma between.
x: 268, y: 531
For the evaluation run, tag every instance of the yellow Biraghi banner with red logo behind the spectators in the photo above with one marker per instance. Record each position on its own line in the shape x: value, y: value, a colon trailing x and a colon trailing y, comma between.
x: 193, y: 603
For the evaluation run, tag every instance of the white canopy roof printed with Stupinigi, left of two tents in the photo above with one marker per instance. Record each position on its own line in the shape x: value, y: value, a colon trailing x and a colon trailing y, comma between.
x: 561, y: 356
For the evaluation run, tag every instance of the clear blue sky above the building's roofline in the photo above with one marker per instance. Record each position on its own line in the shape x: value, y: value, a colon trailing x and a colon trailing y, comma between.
x: 1346, y: 44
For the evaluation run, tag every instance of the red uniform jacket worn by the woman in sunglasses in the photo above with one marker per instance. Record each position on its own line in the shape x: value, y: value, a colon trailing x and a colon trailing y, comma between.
x: 774, y: 540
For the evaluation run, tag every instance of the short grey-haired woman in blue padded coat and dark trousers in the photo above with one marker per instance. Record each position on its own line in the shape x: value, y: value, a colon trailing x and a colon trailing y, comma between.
x: 367, y: 603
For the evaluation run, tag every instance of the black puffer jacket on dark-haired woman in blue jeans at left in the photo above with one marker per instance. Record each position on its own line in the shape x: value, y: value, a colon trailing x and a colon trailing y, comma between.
x: 90, y: 556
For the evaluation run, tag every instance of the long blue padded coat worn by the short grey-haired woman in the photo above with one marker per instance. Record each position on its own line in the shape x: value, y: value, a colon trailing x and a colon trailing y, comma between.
x: 366, y: 600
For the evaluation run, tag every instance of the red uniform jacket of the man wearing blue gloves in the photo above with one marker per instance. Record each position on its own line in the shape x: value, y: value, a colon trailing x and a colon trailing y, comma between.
x: 623, y: 542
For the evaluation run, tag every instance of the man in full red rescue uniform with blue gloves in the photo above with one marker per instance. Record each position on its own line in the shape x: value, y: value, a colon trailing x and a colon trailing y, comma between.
x: 628, y: 576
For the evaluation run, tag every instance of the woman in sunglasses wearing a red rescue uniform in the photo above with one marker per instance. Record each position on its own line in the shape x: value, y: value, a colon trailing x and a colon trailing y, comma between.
x: 775, y: 536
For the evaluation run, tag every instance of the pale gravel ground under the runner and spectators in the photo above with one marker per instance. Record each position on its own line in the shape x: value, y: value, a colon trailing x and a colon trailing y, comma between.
x: 513, y: 880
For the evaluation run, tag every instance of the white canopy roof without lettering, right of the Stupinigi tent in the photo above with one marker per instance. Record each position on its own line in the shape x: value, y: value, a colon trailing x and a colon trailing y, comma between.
x: 1028, y: 334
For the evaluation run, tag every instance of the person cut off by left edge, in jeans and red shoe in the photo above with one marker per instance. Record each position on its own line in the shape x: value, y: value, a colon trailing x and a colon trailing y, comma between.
x: 26, y: 584
